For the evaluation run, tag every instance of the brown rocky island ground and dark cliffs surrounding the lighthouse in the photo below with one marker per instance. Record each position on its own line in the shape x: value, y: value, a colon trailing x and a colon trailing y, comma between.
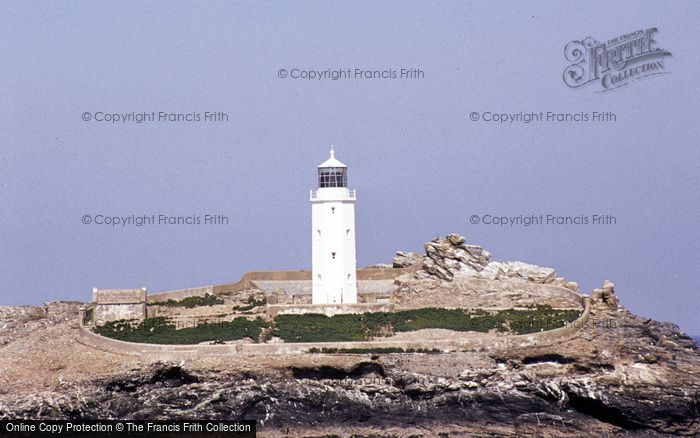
x: 605, y: 372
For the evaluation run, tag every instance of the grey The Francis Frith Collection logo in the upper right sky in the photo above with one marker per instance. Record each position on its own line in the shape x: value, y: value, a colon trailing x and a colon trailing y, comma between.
x: 615, y: 63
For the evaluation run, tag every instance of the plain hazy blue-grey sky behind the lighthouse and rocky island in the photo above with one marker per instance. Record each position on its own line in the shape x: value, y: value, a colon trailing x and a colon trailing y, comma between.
x: 420, y: 166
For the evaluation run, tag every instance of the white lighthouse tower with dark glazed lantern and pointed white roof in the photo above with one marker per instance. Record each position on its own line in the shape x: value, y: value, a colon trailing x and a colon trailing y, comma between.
x: 333, y: 236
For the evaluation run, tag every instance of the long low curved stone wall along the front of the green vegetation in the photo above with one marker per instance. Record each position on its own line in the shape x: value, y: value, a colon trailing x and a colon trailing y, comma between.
x: 153, y: 352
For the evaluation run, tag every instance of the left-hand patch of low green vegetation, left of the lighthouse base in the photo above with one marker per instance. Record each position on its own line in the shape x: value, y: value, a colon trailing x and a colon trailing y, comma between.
x: 162, y: 330
